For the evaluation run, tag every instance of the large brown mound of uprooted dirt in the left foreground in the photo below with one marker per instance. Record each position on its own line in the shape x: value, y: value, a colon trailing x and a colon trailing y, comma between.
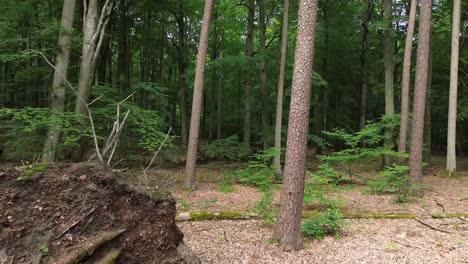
x: 82, y: 213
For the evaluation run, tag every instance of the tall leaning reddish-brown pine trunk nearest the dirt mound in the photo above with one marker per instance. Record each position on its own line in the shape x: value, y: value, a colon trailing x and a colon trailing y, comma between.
x: 197, y: 98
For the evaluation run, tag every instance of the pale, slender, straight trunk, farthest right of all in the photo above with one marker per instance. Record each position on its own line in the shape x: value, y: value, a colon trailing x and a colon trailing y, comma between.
x: 452, y: 118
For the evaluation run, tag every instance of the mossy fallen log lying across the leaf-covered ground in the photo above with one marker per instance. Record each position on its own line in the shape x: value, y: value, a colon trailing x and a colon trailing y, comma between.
x: 245, y: 215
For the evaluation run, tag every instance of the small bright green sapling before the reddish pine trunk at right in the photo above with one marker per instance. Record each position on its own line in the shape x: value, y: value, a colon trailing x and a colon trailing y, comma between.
x: 396, y: 180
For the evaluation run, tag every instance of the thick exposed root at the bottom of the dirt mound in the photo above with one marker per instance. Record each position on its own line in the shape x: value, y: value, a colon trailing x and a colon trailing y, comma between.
x: 91, y: 246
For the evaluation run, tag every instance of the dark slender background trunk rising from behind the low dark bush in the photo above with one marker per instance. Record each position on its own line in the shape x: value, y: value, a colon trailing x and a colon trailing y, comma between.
x: 248, y: 83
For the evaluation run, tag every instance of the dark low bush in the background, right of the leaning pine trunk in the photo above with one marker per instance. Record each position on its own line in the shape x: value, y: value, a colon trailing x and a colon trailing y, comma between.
x: 228, y: 148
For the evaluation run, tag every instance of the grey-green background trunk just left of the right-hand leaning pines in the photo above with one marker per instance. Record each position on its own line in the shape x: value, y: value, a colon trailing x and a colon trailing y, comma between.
x: 389, y: 78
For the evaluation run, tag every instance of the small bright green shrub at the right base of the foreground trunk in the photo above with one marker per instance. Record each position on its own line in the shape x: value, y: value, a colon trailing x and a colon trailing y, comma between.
x: 330, y: 223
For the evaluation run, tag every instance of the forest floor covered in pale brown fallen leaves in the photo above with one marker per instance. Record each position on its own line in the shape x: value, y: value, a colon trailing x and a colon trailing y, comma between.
x: 363, y: 240
